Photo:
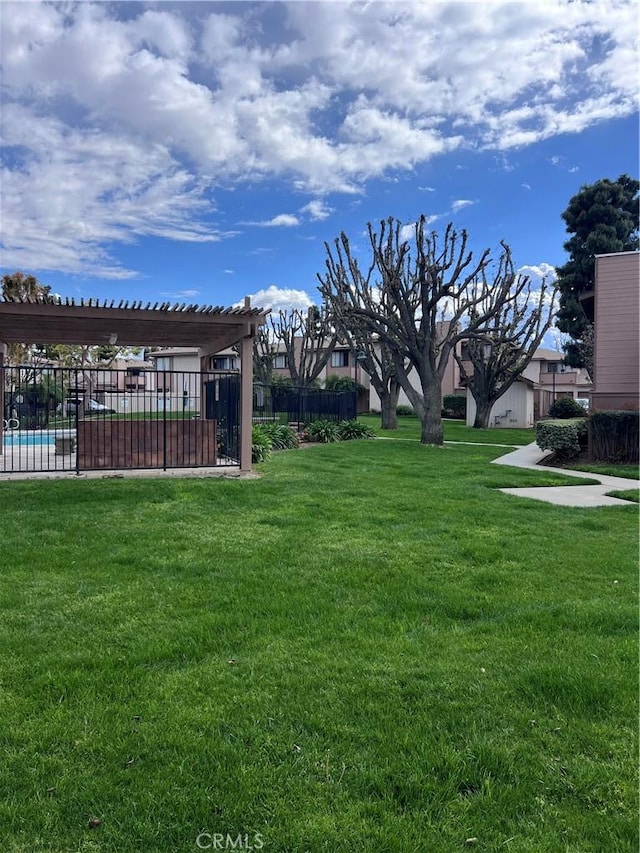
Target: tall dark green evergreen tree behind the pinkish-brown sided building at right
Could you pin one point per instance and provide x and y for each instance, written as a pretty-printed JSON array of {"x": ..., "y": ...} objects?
[{"x": 602, "y": 218}]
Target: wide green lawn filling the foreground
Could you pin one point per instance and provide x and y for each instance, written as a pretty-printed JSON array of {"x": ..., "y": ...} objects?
[{"x": 370, "y": 648}]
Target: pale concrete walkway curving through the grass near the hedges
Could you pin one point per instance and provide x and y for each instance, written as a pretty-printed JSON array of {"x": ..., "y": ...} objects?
[{"x": 584, "y": 496}]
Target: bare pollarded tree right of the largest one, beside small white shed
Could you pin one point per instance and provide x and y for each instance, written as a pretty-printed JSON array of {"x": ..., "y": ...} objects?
[{"x": 501, "y": 348}]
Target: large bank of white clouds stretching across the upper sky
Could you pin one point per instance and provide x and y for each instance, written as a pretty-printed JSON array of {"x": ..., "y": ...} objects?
[{"x": 139, "y": 115}]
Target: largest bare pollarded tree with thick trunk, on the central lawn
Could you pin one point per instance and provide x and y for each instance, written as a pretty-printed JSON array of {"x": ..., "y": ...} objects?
[{"x": 416, "y": 284}]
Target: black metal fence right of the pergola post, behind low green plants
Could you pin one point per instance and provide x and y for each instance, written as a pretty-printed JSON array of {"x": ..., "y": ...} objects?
[{"x": 302, "y": 405}]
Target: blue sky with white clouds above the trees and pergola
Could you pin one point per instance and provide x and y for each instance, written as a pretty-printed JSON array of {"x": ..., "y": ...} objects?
[{"x": 202, "y": 152}]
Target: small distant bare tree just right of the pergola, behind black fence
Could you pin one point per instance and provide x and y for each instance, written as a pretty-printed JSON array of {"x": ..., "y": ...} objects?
[{"x": 306, "y": 339}]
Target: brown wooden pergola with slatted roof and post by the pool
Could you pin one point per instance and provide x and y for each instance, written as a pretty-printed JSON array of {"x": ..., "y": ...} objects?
[{"x": 49, "y": 319}]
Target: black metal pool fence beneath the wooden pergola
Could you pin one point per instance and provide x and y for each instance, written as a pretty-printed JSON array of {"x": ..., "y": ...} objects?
[{"x": 84, "y": 419}]
